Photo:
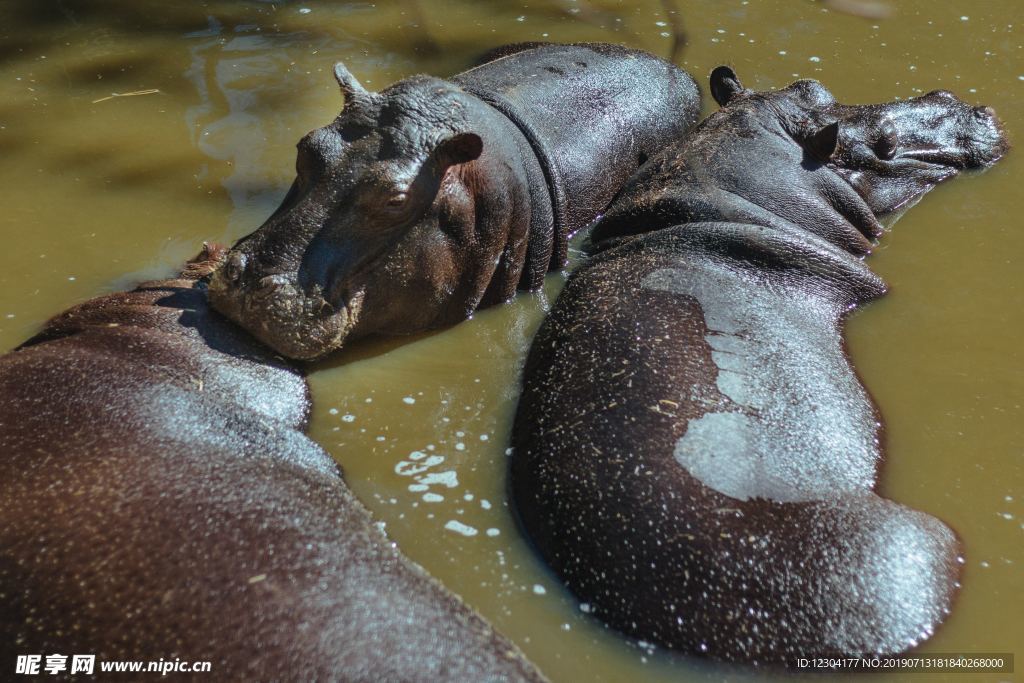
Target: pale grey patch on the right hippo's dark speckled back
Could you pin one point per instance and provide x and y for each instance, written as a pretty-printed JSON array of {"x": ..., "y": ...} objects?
[{"x": 801, "y": 426}]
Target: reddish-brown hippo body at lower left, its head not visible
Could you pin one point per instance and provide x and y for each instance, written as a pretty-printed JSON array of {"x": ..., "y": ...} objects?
[{"x": 160, "y": 501}]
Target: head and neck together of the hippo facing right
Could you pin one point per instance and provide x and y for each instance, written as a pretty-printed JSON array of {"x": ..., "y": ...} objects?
[{"x": 796, "y": 158}]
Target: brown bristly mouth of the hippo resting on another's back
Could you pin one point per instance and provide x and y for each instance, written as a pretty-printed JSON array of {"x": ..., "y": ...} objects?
[{"x": 295, "y": 323}]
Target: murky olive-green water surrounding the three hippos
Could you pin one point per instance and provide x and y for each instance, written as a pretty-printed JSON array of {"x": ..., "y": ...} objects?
[{"x": 99, "y": 194}]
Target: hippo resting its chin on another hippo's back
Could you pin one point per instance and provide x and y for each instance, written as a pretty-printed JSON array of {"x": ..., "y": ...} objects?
[{"x": 424, "y": 202}]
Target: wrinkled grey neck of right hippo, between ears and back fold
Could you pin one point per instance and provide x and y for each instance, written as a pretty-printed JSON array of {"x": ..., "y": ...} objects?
[{"x": 778, "y": 186}]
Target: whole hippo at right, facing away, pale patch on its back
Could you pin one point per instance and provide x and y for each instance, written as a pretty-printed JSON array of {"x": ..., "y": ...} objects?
[{"x": 694, "y": 454}]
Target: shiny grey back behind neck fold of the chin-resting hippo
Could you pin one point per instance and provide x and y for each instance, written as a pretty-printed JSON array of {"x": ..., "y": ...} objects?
[{"x": 594, "y": 113}]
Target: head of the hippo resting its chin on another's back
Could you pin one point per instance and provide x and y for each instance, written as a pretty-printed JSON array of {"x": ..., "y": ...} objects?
[{"x": 379, "y": 231}]
